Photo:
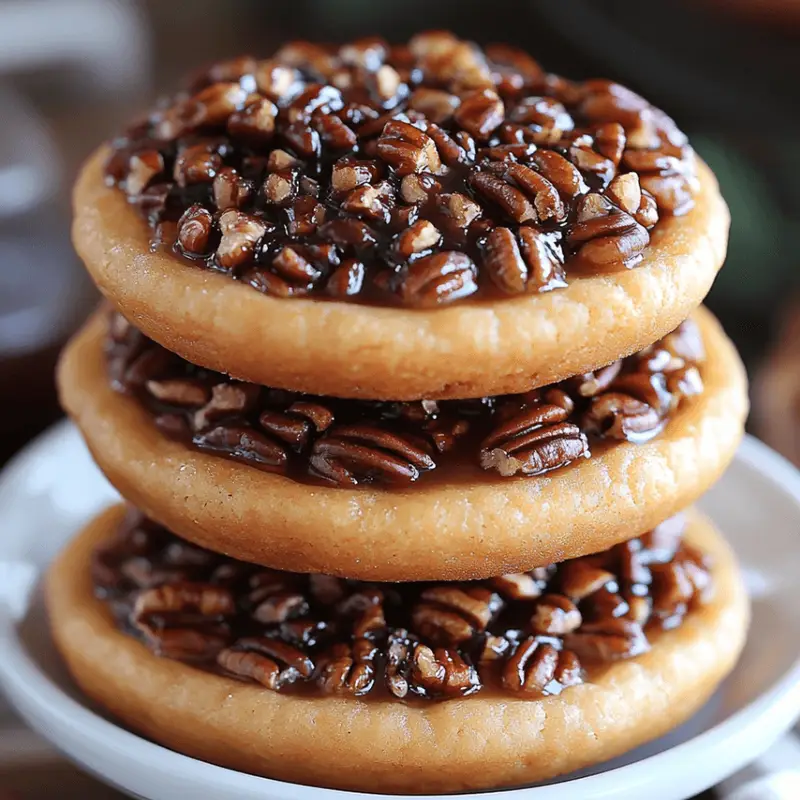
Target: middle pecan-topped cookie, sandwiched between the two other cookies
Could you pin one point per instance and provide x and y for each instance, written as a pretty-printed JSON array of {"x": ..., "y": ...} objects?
[{"x": 448, "y": 490}]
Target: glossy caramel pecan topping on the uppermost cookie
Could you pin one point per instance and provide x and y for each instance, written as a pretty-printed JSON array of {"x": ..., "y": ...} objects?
[{"x": 418, "y": 174}]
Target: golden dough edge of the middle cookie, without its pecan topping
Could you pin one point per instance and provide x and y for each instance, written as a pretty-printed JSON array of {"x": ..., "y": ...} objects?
[{"x": 454, "y": 530}]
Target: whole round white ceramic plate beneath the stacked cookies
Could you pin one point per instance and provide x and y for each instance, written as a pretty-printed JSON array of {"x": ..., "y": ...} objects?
[{"x": 53, "y": 488}]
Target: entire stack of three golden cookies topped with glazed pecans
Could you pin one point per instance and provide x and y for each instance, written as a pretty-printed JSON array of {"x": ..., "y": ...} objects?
[{"x": 405, "y": 379}]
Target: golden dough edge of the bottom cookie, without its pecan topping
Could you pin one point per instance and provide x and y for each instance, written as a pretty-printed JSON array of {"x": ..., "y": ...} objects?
[{"x": 478, "y": 742}]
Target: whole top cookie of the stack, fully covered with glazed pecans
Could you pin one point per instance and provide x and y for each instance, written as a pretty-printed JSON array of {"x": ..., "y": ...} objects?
[{"x": 397, "y": 222}]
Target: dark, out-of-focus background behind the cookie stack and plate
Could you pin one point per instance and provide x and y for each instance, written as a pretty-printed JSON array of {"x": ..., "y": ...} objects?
[{"x": 73, "y": 71}]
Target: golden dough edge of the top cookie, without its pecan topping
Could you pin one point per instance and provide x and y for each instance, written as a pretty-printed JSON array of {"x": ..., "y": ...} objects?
[{"x": 470, "y": 349}]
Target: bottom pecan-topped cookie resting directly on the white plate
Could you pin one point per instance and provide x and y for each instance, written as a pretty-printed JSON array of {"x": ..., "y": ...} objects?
[{"x": 500, "y": 727}]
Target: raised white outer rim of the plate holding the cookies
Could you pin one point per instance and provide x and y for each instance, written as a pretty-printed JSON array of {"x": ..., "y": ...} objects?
[{"x": 750, "y": 729}]
